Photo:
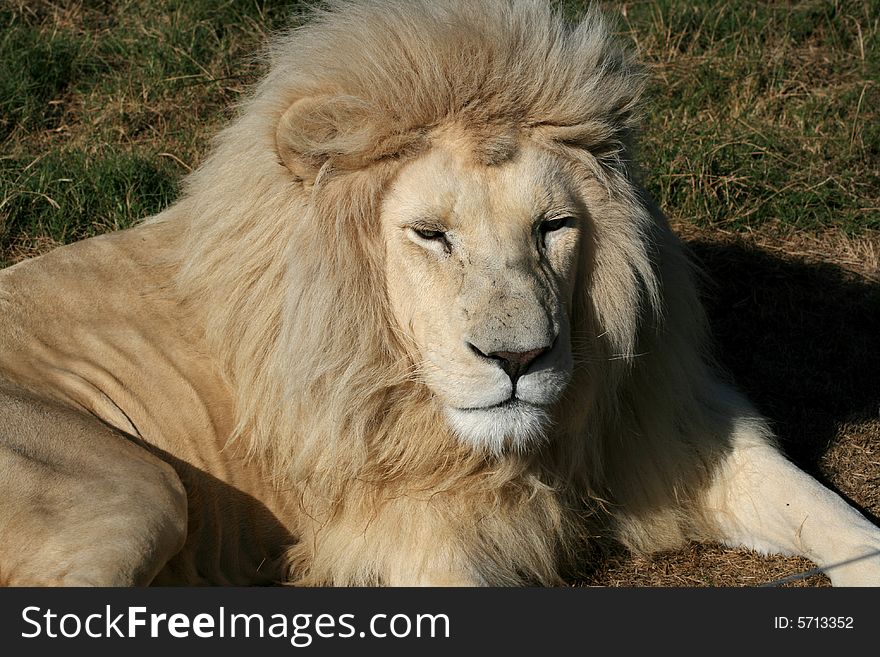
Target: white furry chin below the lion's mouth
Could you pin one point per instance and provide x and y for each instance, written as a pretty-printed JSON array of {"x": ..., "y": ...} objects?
[{"x": 515, "y": 425}]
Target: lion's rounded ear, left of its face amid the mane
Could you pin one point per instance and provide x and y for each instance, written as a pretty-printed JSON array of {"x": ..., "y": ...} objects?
[{"x": 316, "y": 129}]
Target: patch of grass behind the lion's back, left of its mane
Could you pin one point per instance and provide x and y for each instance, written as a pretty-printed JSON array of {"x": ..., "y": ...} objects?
[{"x": 104, "y": 106}]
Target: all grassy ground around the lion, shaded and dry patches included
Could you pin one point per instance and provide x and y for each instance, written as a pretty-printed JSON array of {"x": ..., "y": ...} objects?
[{"x": 761, "y": 141}]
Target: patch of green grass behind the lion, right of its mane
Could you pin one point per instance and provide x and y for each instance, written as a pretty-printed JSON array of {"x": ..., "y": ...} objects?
[{"x": 763, "y": 112}]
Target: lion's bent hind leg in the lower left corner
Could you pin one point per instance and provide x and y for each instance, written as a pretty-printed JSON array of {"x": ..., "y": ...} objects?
[{"x": 80, "y": 505}]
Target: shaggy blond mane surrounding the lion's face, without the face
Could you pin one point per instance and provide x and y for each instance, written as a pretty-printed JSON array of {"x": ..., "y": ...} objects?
[{"x": 288, "y": 280}]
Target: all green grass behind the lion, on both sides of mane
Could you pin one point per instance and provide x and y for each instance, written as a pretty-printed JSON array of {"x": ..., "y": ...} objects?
[{"x": 759, "y": 114}]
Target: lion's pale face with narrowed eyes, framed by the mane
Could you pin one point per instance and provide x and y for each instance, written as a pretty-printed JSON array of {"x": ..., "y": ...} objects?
[{"x": 481, "y": 262}]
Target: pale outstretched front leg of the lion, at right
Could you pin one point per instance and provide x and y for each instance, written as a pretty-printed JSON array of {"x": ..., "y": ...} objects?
[{"x": 761, "y": 500}]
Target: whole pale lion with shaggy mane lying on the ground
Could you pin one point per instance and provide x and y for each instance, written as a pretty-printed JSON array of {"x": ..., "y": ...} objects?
[{"x": 412, "y": 322}]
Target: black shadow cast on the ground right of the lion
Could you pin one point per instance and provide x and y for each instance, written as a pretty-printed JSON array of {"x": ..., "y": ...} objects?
[{"x": 800, "y": 338}]
